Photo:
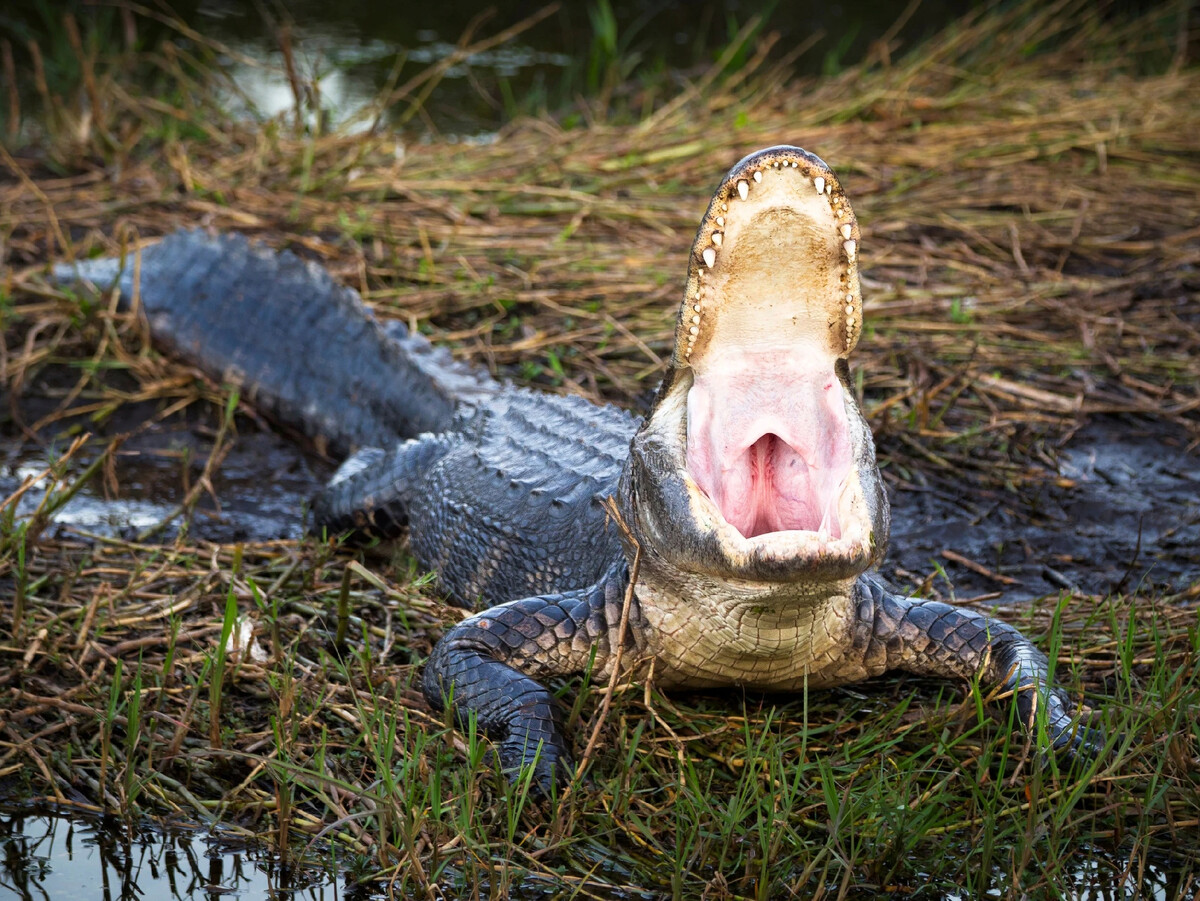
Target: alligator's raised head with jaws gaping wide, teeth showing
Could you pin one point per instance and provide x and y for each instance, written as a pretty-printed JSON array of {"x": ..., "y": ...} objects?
[{"x": 757, "y": 464}]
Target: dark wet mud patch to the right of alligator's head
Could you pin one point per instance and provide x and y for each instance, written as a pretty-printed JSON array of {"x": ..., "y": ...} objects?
[{"x": 1123, "y": 513}]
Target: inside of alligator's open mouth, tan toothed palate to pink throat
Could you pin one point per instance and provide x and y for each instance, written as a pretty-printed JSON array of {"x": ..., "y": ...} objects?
[{"x": 769, "y": 435}]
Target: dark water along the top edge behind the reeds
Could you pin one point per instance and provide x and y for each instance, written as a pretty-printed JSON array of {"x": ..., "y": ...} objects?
[{"x": 350, "y": 56}]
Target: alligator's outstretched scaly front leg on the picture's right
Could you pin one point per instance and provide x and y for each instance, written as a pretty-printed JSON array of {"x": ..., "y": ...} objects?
[{"x": 934, "y": 639}]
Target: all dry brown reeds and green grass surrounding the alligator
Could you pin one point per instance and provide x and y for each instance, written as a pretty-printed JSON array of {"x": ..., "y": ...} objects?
[{"x": 1029, "y": 189}]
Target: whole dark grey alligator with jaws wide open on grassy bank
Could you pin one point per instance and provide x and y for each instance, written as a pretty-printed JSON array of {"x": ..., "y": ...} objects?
[{"x": 728, "y": 539}]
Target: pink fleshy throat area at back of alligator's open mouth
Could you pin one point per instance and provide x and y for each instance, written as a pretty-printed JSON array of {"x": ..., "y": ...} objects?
[{"x": 769, "y": 442}]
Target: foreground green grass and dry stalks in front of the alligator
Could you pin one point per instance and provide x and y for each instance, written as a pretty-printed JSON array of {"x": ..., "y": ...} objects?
[{"x": 884, "y": 788}]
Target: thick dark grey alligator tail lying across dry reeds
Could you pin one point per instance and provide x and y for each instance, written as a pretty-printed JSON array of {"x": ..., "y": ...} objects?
[{"x": 303, "y": 349}]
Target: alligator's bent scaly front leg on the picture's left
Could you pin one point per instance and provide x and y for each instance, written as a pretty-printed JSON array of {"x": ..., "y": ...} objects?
[{"x": 491, "y": 666}]
